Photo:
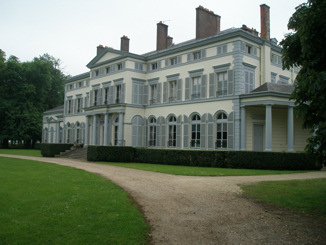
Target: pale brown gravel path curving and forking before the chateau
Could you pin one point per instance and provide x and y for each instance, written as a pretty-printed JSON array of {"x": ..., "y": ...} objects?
[{"x": 207, "y": 210}]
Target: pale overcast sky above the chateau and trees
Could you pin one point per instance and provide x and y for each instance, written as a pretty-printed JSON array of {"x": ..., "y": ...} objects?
[{"x": 70, "y": 30}]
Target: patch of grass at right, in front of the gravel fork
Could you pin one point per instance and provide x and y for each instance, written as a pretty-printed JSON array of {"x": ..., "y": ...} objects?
[{"x": 306, "y": 196}]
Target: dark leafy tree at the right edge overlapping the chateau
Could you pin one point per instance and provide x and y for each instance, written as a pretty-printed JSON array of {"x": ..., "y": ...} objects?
[{"x": 305, "y": 48}]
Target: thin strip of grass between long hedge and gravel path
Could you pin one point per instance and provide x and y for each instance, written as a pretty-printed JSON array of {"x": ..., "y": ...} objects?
[{"x": 199, "y": 171}]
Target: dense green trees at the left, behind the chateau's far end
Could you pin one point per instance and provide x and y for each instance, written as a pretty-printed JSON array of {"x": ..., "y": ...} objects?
[{"x": 27, "y": 89}]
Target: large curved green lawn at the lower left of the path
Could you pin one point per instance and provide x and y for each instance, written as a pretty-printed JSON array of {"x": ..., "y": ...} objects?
[{"x": 42, "y": 203}]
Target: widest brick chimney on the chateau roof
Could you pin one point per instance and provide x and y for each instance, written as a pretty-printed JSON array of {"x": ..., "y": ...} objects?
[{"x": 207, "y": 23}]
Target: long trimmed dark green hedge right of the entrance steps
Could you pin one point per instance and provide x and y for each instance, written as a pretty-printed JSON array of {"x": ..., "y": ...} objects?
[{"x": 221, "y": 159}]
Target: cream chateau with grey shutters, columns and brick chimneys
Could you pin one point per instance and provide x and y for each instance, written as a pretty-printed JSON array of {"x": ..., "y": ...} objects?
[{"x": 221, "y": 90}]
